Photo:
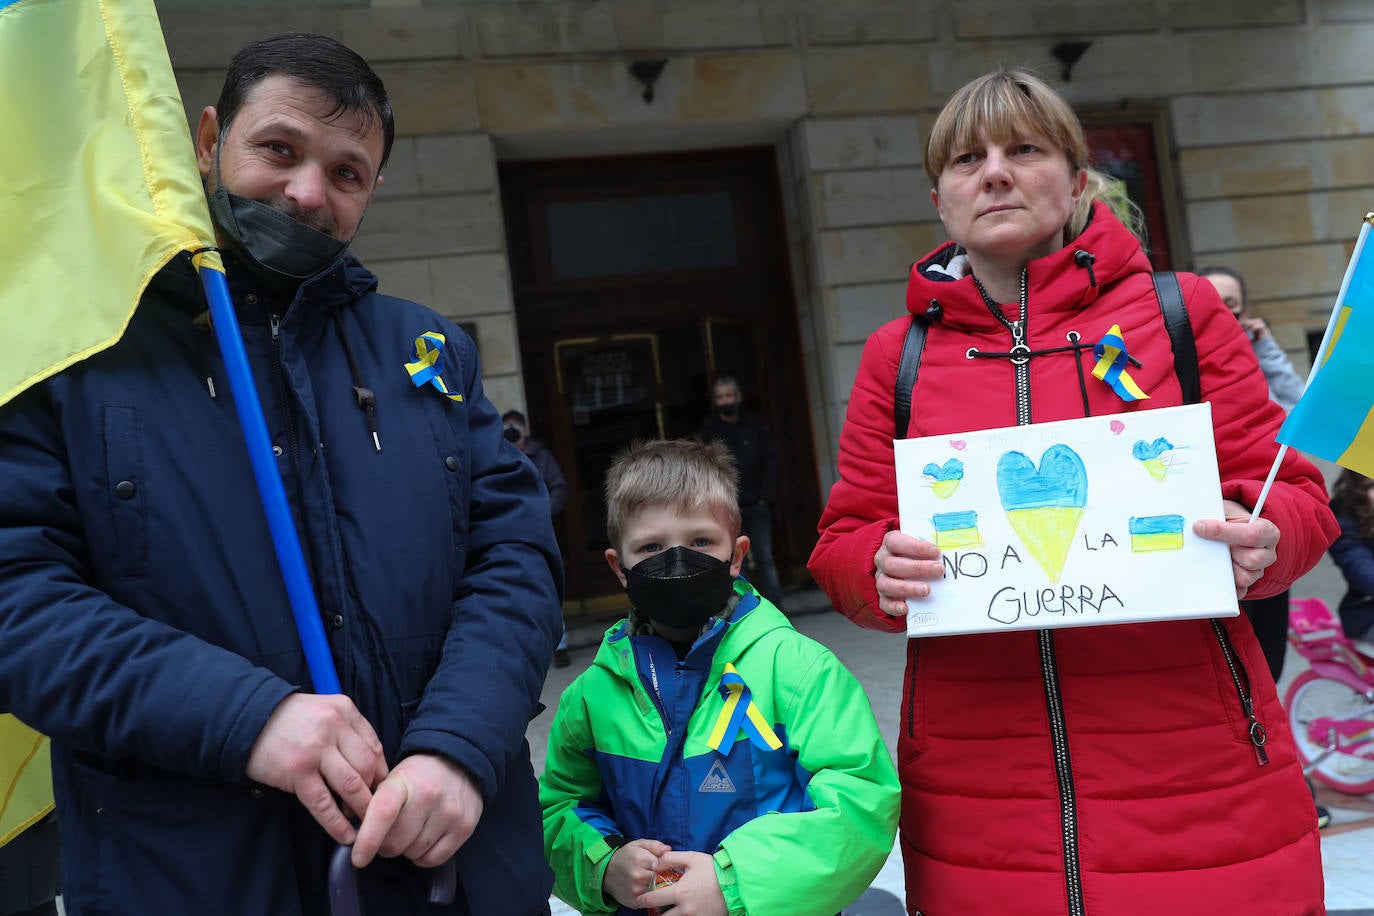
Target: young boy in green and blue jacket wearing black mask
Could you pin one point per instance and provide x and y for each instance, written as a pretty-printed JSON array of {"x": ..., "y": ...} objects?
[{"x": 708, "y": 738}]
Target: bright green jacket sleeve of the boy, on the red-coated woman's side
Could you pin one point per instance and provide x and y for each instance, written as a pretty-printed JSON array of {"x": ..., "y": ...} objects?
[{"x": 822, "y": 860}]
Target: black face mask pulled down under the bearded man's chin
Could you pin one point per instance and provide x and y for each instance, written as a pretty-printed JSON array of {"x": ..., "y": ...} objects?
[{"x": 274, "y": 245}]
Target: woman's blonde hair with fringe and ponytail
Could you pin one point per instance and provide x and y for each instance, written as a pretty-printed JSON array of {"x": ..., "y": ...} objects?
[{"x": 1005, "y": 104}]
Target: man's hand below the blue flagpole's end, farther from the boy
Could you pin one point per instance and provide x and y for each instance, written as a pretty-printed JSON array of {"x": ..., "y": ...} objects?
[{"x": 315, "y": 746}]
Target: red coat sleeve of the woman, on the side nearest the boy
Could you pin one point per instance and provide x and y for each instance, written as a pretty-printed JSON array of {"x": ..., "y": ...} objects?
[{"x": 864, "y": 503}]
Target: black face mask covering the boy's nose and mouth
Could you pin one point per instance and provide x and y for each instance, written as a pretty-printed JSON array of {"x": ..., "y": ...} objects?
[{"x": 679, "y": 588}]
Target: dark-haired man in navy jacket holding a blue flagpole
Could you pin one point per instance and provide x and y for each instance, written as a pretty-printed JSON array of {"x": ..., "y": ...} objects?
[{"x": 144, "y": 621}]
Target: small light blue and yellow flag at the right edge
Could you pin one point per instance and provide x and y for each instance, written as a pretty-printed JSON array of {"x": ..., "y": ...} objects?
[{"x": 1335, "y": 420}]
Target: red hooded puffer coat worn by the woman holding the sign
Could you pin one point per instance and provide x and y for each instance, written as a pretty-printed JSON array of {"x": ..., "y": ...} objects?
[{"x": 1088, "y": 770}]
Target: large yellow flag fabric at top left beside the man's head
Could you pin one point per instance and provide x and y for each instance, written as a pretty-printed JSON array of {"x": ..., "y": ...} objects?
[{"x": 98, "y": 179}]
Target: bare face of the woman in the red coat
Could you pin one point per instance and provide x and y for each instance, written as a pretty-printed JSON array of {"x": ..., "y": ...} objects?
[{"x": 1008, "y": 201}]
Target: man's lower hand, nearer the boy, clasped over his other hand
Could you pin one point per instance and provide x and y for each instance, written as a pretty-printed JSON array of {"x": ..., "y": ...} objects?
[{"x": 425, "y": 811}]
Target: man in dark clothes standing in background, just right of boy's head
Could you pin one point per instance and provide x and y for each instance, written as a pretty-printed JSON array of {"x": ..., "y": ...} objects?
[{"x": 756, "y": 457}]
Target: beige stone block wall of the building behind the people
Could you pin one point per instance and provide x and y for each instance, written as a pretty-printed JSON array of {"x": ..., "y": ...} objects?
[{"x": 1269, "y": 108}]
